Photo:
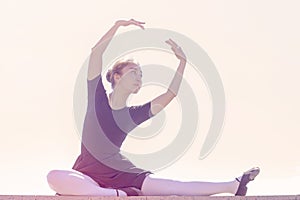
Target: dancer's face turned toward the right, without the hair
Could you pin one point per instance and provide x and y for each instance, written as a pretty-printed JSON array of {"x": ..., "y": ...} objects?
[{"x": 131, "y": 78}]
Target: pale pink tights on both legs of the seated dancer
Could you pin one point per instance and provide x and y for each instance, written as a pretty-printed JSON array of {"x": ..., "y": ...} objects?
[{"x": 71, "y": 182}]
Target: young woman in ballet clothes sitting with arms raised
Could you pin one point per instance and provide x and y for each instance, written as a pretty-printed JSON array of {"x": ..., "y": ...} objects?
[{"x": 100, "y": 169}]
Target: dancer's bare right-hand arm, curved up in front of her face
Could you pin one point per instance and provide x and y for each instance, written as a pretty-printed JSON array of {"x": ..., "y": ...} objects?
[{"x": 164, "y": 99}]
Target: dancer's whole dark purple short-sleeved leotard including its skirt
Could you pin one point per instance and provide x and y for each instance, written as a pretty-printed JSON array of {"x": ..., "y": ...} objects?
[{"x": 104, "y": 131}]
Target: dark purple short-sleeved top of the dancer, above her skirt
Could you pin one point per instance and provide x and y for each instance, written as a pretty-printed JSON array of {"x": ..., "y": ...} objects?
[{"x": 104, "y": 128}]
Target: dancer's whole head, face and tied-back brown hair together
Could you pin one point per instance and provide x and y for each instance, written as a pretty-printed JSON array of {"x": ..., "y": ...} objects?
[{"x": 127, "y": 75}]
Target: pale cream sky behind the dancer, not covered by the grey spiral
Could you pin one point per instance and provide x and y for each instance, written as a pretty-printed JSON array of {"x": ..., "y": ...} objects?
[{"x": 254, "y": 45}]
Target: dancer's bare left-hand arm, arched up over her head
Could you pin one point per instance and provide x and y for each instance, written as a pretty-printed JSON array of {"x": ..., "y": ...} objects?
[{"x": 95, "y": 62}]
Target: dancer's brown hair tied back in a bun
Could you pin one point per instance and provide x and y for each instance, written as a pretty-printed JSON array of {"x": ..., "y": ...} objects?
[{"x": 117, "y": 69}]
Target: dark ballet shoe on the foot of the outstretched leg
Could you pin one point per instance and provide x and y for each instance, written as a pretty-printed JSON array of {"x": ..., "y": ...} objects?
[{"x": 246, "y": 178}]
